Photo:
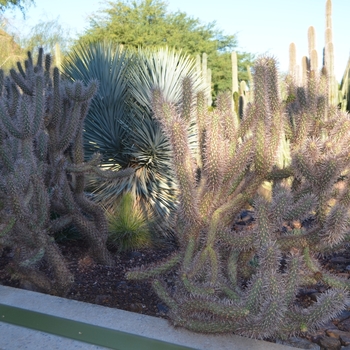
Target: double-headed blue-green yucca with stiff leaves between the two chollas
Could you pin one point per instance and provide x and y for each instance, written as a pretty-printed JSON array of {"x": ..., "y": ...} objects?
[{"x": 120, "y": 123}]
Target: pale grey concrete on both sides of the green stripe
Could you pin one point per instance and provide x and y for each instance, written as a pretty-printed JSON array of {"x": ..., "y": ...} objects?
[{"x": 15, "y": 337}]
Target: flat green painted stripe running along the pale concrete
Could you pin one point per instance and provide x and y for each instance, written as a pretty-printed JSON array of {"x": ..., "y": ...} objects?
[{"x": 81, "y": 331}]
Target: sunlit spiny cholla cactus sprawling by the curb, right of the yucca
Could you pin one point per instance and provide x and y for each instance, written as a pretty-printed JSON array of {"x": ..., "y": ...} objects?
[{"x": 246, "y": 281}]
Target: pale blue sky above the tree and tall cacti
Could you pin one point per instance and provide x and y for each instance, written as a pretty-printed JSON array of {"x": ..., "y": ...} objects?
[{"x": 261, "y": 26}]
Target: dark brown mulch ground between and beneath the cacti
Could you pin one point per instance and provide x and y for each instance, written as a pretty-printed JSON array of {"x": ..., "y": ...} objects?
[{"x": 107, "y": 286}]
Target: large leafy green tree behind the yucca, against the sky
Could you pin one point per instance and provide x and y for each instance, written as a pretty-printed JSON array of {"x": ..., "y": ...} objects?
[{"x": 141, "y": 23}]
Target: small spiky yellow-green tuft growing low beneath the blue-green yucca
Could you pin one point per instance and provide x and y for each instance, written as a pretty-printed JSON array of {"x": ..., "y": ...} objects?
[{"x": 128, "y": 227}]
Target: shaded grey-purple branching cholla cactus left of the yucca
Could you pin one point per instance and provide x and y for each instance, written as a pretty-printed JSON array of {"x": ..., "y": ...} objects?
[{"x": 43, "y": 170}]
